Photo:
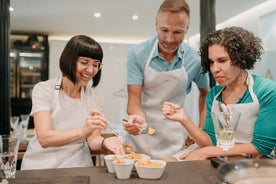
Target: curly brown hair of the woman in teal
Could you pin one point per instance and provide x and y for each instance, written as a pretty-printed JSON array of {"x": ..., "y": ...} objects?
[{"x": 243, "y": 47}]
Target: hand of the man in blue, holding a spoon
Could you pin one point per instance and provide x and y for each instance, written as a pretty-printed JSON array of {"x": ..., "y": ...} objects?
[{"x": 134, "y": 124}]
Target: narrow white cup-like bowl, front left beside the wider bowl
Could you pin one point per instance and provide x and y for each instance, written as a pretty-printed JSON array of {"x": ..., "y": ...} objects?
[{"x": 123, "y": 168}]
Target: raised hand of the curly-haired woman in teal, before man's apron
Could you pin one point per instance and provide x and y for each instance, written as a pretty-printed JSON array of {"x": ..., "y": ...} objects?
[{"x": 173, "y": 111}]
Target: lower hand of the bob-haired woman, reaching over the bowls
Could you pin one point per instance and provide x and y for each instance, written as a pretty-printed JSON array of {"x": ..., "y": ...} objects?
[{"x": 114, "y": 144}]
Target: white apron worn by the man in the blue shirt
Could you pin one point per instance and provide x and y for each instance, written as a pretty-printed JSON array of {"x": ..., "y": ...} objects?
[{"x": 169, "y": 136}]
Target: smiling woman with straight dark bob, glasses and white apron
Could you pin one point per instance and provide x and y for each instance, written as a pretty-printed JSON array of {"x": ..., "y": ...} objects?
[{"x": 67, "y": 111}]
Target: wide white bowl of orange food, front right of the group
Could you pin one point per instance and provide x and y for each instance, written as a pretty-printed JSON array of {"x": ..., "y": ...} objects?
[{"x": 151, "y": 169}]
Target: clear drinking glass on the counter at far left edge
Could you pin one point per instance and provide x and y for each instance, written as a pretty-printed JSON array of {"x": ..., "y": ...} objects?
[{"x": 8, "y": 154}]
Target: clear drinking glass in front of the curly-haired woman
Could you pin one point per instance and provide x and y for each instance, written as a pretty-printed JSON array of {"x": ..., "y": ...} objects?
[{"x": 225, "y": 124}]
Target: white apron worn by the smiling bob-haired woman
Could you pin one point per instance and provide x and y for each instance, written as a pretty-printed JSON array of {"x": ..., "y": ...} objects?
[{"x": 75, "y": 154}]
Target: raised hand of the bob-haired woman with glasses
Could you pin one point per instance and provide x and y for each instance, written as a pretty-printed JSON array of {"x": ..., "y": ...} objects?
[{"x": 95, "y": 120}]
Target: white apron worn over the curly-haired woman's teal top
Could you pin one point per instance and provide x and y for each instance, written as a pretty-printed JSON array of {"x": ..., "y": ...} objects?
[{"x": 249, "y": 112}]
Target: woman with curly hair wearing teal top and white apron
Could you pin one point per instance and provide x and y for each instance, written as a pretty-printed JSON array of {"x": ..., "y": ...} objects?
[{"x": 228, "y": 54}]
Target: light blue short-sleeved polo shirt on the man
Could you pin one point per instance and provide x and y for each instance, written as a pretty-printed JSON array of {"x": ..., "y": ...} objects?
[{"x": 138, "y": 55}]
